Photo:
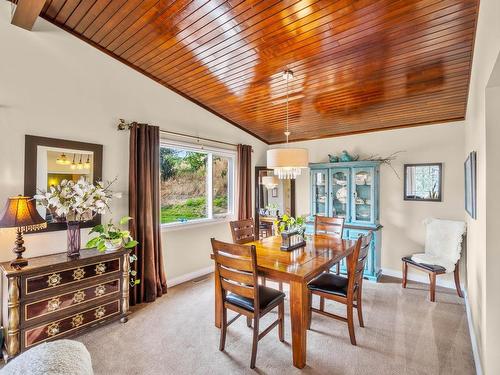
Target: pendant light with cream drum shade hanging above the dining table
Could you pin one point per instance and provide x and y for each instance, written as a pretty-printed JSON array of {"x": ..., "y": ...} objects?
[{"x": 287, "y": 163}]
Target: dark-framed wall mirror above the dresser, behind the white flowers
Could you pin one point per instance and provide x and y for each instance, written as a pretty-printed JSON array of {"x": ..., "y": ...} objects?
[{"x": 48, "y": 161}]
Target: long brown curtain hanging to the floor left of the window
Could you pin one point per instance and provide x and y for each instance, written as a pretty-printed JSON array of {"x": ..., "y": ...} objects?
[{"x": 144, "y": 207}]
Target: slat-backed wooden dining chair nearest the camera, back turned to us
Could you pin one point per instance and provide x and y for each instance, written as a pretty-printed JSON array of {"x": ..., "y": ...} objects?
[{"x": 237, "y": 269}]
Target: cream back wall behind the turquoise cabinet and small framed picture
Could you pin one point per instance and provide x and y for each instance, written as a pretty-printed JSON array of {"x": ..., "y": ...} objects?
[{"x": 403, "y": 232}]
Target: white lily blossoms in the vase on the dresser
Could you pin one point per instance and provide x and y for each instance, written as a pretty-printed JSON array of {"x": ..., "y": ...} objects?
[{"x": 76, "y": 201}]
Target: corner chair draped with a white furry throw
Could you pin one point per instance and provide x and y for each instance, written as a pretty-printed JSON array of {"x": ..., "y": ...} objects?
[{"x": 443, "y": 246}]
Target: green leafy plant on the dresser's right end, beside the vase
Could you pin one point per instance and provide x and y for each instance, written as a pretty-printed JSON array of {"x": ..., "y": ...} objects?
[{"x": 111, "y": 238}]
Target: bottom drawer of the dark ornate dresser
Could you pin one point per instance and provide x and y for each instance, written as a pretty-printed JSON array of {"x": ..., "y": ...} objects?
[{"x": 66, "y": 326}]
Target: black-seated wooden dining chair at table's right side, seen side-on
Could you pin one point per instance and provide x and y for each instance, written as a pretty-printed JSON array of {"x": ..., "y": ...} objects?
[{"x": 345, "y": 290}]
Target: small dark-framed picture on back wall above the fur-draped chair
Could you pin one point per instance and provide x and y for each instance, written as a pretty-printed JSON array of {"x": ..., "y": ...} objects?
[{"x": 423, "y": 182}]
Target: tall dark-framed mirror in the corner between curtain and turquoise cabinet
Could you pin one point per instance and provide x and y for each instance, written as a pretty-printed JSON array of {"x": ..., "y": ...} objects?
[{"x": 273, "y": 199}]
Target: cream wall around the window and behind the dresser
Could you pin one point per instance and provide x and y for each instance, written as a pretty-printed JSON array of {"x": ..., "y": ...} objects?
[{"x": 54, "y": 85}]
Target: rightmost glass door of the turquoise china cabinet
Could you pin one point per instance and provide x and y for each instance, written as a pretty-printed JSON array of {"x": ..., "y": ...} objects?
[{"x": 363, "y": 181}]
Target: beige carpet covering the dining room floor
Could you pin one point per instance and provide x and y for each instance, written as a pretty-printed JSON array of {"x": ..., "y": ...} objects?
[{"x": 404, "y": 334}]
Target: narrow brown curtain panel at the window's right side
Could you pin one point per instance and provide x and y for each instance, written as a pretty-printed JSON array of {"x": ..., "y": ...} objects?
[{"x": 244, "y": 182}]
